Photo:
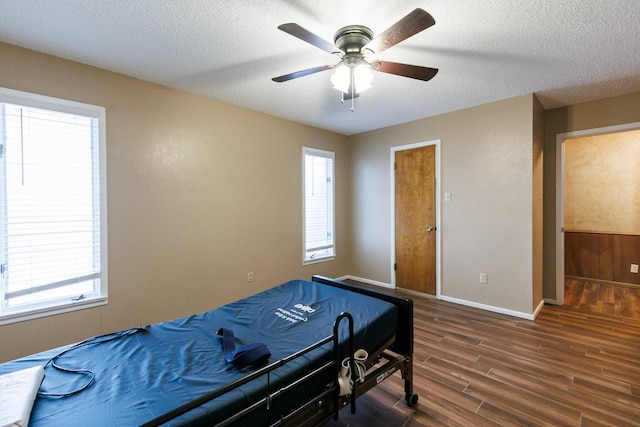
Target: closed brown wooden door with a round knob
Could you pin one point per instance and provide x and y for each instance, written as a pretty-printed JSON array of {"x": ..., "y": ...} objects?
[{"x": 415, "y": 217}]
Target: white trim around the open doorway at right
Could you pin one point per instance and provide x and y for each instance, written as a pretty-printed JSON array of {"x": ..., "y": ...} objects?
[{"x": 560, "y": 138}]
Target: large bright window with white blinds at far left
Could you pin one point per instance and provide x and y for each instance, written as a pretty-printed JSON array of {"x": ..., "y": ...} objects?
[{"x": 52, "y": 251}]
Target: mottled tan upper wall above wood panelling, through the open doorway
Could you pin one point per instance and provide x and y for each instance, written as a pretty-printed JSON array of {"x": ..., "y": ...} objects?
[{"x": 602, "y": 183}]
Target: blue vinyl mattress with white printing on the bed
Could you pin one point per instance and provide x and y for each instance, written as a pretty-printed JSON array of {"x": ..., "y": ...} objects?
[{"x": 142, "y": 375}]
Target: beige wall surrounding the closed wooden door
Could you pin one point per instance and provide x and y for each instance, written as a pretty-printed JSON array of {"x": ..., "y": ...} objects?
[{"x": 487, "y": 157}]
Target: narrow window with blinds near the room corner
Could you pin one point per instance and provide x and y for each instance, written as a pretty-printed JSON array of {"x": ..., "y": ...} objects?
[{"x": 319, "y": 226}]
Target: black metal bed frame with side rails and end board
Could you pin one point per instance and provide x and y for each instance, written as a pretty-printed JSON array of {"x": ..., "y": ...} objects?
[{"x": 395, "y": 355}]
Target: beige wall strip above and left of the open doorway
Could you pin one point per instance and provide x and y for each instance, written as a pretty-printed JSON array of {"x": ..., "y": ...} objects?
[{"x": 613, "y": 111}]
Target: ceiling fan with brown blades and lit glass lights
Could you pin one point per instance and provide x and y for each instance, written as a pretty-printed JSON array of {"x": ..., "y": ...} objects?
[{"x": 355, "y": 44}]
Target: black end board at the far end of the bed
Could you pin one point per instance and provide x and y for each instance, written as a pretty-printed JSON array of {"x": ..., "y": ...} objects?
[{"x": 404, "y": 331}]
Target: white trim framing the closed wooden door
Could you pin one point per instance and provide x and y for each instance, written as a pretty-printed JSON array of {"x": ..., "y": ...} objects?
[{"x": 438, "y": 229}]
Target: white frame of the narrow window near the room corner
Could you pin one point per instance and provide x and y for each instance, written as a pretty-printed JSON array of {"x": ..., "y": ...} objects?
[{"x": 326, "y": 154}]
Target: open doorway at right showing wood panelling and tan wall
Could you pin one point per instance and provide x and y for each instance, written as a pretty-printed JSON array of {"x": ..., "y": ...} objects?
[{"x": 598, "y": 225}]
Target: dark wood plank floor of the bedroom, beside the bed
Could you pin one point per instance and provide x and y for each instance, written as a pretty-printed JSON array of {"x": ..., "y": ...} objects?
[{"x": 476, "y": 368}]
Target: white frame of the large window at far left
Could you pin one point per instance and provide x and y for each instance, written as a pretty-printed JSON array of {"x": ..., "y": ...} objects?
[{"x": 42, "y": 309}]
